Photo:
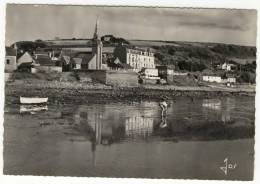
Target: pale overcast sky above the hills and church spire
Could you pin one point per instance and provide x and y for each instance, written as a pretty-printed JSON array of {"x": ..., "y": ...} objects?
[{"x": 30, "y": 22}]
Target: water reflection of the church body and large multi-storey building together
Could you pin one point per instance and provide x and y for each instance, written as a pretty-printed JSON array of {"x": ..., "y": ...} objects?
[{"x": 105, "y": 125}]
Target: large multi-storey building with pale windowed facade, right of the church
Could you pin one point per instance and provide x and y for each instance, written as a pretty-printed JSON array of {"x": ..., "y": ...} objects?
[{"x": 136, "y": 58}]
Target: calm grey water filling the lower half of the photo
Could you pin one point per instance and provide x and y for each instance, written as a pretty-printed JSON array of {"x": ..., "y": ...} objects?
[{"x": 132, "y": 139}]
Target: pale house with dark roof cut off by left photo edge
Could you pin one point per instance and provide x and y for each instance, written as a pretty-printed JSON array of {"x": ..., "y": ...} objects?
[{"x": 10, "y": 59}]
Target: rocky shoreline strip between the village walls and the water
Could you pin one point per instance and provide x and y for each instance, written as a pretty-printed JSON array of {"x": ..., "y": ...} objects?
[{"x": 76, "y": 92}]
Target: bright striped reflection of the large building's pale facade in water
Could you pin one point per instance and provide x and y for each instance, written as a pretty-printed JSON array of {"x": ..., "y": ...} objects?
[{"x": 138, "y": 126}]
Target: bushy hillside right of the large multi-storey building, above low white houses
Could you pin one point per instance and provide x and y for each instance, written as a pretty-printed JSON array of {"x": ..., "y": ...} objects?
[{"x": 194, "y": 57}]
